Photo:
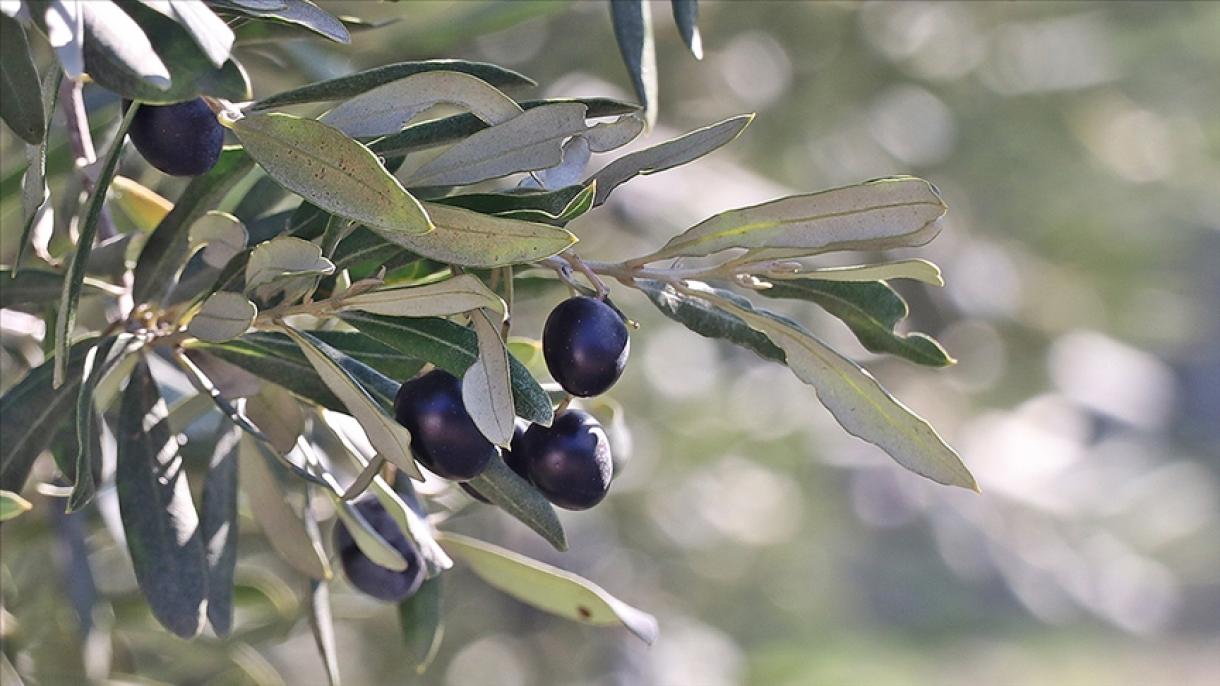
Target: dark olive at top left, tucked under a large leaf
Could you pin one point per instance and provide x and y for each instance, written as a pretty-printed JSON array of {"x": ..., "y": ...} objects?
[{"x": 180, "y": 140}]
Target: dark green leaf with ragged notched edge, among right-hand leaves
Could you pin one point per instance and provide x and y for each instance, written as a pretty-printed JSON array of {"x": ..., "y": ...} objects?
[{"x": 872, "y": 309}]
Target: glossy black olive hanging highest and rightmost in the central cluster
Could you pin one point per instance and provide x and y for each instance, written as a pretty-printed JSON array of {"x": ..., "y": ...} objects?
[{"x": 585, "y": 344}]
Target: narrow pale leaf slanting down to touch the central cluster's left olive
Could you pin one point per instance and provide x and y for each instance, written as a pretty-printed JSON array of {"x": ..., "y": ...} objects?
[{"x": 391, "y": 440}]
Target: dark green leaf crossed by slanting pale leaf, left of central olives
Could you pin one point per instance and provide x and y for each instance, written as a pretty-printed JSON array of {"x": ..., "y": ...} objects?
[{"x": 275, "y": 358}]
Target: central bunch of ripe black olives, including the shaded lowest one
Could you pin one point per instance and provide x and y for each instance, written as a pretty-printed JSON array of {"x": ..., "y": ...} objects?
[{"x": 586, "y": 347}]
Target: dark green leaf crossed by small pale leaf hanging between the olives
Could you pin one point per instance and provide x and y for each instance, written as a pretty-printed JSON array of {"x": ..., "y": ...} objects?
[{"x": 452, "y": 348}]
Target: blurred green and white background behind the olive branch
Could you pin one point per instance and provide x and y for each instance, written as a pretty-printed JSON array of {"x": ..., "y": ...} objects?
[{"x": 1079, "y": 150}]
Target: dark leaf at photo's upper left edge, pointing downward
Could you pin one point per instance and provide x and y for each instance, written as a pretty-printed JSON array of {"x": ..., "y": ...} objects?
[{"x": 19, "y": 80}]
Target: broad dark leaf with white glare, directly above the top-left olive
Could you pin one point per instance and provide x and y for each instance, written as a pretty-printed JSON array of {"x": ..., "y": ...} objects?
[{"x": 147, "y": 57}]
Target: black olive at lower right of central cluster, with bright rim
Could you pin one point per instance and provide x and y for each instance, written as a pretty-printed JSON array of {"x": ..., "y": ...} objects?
[{"x": 570, "y": 461}]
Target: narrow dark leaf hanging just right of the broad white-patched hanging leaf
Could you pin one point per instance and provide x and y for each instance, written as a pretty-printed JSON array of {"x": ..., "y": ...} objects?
[{"x": 220, "y": 527}]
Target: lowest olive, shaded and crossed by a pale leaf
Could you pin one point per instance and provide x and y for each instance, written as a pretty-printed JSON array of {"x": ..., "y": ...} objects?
[{"x": 367, "y": 576}]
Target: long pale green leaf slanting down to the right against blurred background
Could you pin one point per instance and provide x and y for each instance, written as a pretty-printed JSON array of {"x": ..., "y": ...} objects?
[{"x": 859, "y": 403}]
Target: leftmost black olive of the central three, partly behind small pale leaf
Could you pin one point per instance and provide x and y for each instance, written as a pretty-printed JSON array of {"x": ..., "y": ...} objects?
[{"x": 443, "y": 435}]
